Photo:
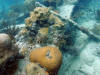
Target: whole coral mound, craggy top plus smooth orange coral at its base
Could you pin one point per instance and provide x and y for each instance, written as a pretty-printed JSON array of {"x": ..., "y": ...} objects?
[{"x": 42, "y": 29}]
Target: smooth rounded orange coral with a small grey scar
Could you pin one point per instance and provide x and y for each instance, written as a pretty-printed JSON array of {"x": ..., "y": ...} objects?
[{"x": 48, "y": 57}]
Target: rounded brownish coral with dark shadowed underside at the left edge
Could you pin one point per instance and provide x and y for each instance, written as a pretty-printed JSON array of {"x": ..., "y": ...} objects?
[{"x": 8, "y": 55}]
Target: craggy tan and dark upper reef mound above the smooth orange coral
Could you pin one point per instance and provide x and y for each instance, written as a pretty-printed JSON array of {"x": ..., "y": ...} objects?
[{"x": 39, "y": 26}]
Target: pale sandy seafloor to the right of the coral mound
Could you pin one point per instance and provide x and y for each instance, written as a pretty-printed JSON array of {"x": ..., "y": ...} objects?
[{"x": 88, "y": 60}]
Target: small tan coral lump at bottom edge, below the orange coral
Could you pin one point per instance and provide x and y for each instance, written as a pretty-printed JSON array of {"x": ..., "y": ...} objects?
[{"x": 35, "y": 69}]
